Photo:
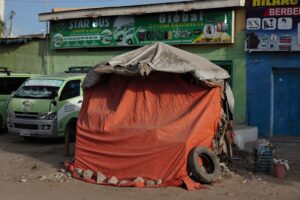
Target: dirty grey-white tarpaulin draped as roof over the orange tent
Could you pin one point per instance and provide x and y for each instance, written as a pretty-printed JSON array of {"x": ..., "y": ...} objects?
[{"x": 163, "y": 58}]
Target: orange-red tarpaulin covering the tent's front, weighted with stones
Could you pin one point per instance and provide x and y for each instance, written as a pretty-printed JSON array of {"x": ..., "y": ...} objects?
[{"x": 133, "y": 126}]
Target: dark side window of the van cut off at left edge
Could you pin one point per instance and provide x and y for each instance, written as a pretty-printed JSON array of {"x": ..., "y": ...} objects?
[{"x": 10, "y": 84}]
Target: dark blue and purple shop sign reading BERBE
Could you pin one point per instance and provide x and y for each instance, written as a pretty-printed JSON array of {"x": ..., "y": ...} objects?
[{"x": 272, "y": 25}]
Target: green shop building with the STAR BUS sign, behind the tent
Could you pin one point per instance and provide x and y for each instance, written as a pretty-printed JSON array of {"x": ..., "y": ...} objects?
[{"x": 85, "y": 37}]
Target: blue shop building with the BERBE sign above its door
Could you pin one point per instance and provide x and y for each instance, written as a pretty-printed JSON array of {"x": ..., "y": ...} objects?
[{"x": 273, "y": 69}]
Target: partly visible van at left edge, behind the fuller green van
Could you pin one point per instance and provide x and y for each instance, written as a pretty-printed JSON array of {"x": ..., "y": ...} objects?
[{"x": 9, "y": 82}]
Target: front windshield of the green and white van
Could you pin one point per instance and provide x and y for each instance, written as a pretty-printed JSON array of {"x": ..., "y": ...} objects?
[{"x": 36, "y": 92}]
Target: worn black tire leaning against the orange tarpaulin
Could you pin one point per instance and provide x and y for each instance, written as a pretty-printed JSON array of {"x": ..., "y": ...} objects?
[{"x": 206, "y": 169}]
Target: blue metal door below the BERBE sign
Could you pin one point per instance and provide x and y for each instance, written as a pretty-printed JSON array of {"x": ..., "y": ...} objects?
[{"x": 286, "y": 116}]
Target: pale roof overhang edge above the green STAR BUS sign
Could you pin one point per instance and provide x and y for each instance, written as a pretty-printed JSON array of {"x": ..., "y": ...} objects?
[{"x": 140, "y": 9}]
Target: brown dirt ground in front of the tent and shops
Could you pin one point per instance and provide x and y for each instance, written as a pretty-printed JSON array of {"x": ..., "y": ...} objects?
[{"x": 30, "y": 170}]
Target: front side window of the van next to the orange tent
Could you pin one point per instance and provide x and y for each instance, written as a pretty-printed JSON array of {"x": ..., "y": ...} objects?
[{"x": 71, "y": 89}]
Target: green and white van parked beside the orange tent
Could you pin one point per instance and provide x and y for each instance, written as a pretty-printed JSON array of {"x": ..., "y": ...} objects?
[{"x": 46, "y": 106}]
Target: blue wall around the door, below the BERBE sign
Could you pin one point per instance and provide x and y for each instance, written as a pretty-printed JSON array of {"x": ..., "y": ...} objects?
[{"x": 259, "y": 72}]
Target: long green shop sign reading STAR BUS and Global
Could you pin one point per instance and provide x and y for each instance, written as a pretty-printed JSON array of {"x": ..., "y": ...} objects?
[{"x": 197, "y": 27}]
